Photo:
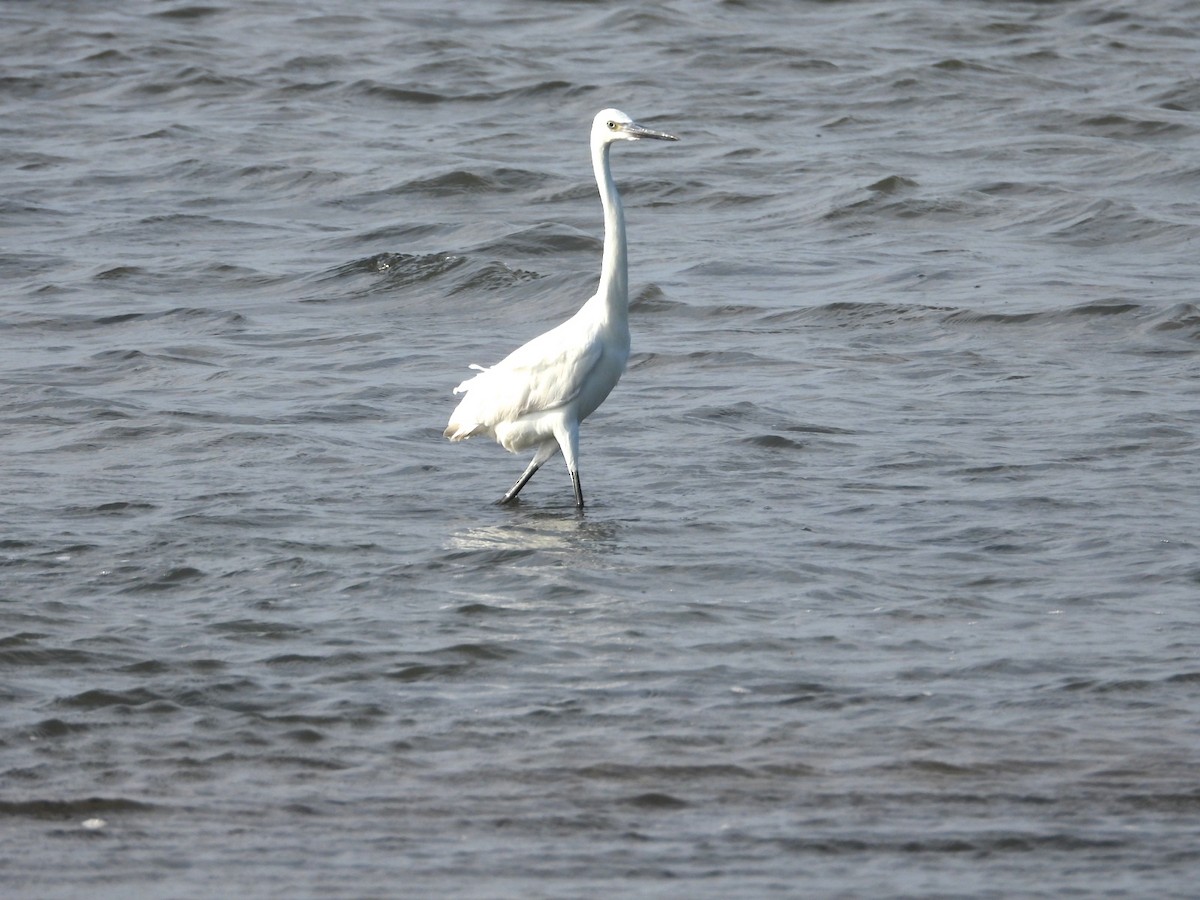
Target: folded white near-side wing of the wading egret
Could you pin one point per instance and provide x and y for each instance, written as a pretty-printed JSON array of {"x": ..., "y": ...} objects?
[{"x": 544, "y": 374}]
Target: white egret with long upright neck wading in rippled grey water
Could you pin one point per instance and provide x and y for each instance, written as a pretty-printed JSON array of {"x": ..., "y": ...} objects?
[{"x": 538, "y": 395}]
